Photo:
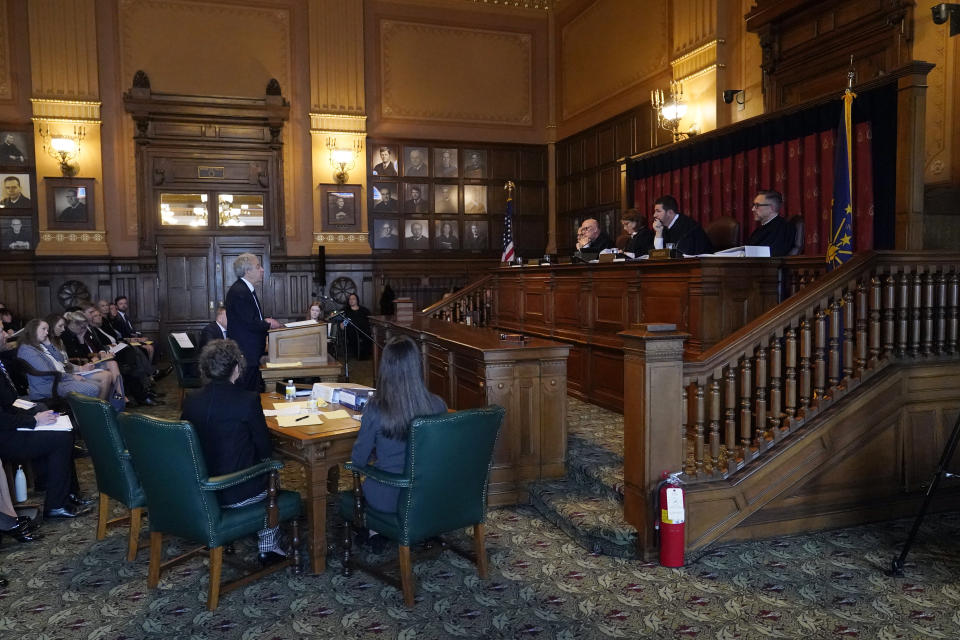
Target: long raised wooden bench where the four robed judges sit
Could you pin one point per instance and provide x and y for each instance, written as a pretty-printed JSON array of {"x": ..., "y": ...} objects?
[{"x": 586, "y": 306}]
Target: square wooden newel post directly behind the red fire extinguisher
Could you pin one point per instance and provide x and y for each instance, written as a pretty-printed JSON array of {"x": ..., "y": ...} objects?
[{"x": 653, "y": 422}]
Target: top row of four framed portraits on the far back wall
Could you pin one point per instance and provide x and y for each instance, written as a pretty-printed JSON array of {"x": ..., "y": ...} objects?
[{"x": 420, "y": 161}]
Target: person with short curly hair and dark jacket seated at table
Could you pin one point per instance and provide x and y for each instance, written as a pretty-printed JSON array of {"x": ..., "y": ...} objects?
[{"x": 232, "y": 432}]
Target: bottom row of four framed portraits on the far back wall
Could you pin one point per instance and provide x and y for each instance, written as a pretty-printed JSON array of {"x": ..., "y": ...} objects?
[{"x": 443, "y": 234}]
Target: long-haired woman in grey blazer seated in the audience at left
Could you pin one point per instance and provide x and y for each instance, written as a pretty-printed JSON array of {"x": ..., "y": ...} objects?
[{"x": 33, "y": 349}]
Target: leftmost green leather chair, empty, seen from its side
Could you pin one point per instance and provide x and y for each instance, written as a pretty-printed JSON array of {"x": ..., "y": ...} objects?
[{"x": 116, "y": 479}]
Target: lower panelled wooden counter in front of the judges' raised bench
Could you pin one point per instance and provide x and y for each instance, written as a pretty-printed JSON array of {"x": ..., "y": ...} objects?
[{"x": 472, "y": 367}]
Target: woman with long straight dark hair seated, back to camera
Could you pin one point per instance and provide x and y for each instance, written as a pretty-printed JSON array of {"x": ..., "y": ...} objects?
[{"x": 401, "y": 396}]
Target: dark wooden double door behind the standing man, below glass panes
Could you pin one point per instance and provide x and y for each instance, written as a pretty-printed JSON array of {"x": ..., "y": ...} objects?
[{"x": 195, "y": 274}]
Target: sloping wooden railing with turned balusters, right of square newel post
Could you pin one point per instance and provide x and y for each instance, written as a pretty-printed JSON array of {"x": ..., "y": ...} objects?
[{"x": 765, "y": 381}]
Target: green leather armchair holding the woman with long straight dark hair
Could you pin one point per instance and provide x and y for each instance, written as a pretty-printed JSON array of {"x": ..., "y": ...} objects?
[{"x": 443, "y": 488}]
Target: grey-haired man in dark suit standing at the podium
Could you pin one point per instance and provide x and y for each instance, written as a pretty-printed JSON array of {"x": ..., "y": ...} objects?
[{"x": 248, "y": 326}]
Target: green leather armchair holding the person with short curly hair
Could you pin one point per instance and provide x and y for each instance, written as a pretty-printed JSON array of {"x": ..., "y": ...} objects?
[{"x": 182, "y": 499}]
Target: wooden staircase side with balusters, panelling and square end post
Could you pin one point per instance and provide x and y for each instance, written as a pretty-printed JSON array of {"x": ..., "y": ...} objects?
[{"x": 828, "y": 410}]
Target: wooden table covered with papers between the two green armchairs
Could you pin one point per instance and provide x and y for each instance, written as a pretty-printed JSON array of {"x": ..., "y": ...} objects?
[{"x": 320, "y": 449}]
